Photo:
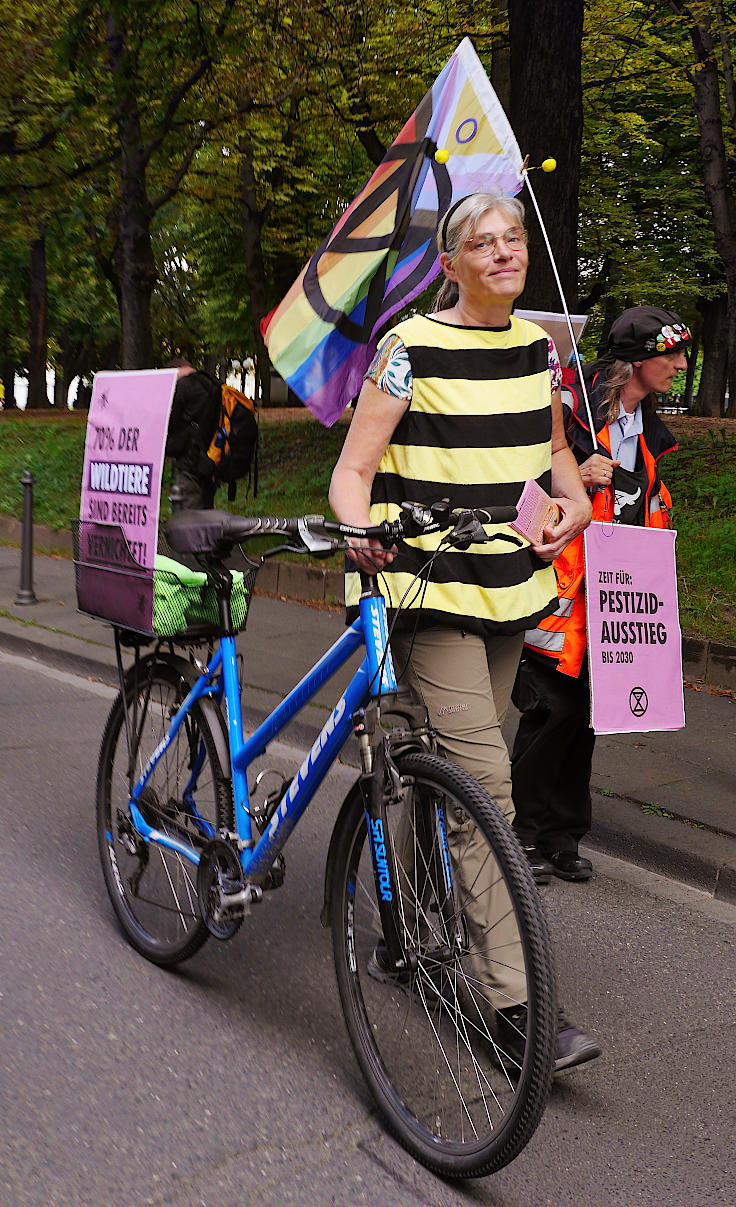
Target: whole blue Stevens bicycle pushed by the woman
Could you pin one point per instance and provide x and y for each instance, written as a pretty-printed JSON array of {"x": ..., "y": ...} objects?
[{"x": 188, "y": 853}]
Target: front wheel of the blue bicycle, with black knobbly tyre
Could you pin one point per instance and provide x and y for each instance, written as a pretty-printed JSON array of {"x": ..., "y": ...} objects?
[{"x": 430, "y": 1042}]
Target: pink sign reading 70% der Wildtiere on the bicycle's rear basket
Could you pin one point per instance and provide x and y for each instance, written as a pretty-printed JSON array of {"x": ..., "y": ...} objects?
[{"x": 121, "y": 491}]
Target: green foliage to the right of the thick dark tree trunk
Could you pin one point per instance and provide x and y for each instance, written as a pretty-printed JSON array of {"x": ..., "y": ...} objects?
[{"x": 647, "y": 232}]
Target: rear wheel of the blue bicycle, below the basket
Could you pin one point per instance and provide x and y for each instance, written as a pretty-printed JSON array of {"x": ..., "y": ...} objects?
[{"x": 189, "y": 798}]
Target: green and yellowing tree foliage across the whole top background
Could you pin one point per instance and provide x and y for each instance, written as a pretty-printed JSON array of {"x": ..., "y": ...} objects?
[{"x": 183, "y": 160}]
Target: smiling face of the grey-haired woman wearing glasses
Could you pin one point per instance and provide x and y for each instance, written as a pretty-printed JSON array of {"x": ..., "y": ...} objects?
[{"x": 492, "y": 265}]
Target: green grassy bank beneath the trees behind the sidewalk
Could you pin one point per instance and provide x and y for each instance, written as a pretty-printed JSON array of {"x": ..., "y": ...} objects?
[{"x": 296, "y": 460}]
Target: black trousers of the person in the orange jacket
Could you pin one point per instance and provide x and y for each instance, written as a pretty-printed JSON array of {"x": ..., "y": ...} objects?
[{"x": 552, "y": 760}]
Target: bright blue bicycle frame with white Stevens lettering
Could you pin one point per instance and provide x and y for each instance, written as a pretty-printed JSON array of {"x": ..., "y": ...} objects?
[{"x": 375, "y": 678}]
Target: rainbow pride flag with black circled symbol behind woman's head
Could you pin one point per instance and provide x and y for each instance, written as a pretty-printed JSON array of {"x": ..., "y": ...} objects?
[{"x": 383, "y": 253}]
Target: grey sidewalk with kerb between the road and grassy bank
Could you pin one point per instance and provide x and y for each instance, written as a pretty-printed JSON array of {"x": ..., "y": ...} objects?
[{"x": 664, "y": 801}]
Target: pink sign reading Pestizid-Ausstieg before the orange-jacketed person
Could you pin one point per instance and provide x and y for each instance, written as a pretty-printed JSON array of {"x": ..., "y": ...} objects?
[{"x": 634, "y": 638}]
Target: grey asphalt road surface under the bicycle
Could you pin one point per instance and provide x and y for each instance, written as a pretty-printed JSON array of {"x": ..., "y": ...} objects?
[{"x": 232, "y": 1080}]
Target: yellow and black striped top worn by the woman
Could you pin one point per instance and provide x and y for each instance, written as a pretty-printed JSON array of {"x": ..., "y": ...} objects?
[{"x": 477, "y": 429}]
